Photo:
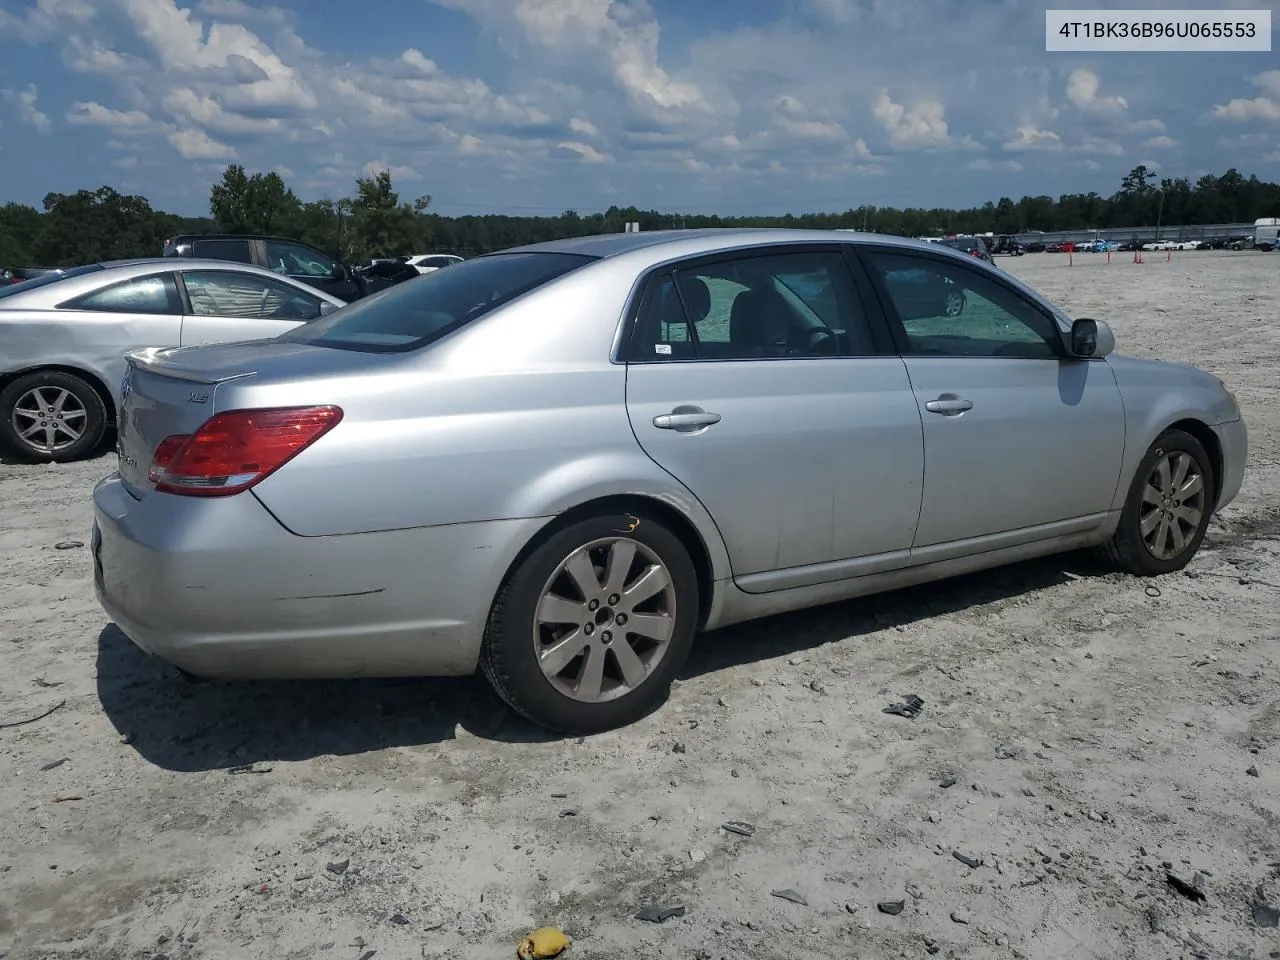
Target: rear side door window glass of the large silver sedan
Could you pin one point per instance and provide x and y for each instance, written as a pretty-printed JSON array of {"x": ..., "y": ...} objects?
[{"x": 765, "y": 307}]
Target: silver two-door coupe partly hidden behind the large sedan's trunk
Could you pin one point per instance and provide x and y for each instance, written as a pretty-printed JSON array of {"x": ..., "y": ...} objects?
[{"x": 63, "y": 337}]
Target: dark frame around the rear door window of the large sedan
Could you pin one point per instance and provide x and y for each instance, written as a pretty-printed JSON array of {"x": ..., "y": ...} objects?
[{"x": 628, "y": 350}]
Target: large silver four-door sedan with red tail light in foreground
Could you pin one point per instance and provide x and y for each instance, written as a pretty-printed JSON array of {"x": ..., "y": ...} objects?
[{"x": 560, "y": 463}]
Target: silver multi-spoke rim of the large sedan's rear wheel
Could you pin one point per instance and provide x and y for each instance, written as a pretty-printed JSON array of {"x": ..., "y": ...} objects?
[{"x": 605, "y": 620}]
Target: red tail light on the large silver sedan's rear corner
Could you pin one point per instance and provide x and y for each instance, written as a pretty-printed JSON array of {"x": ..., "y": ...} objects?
[{"x": 236, "y": 450}]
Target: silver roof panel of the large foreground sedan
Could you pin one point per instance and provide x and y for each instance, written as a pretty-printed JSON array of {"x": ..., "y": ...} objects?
[{"x": 710, "y": 240}]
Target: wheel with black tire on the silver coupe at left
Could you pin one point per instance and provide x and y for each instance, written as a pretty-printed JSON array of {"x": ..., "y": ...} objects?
[{"x": 52, "y": 418}]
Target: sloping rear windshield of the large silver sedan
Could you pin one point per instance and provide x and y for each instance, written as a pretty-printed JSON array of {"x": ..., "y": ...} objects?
[{"x": 417, "y": 313}]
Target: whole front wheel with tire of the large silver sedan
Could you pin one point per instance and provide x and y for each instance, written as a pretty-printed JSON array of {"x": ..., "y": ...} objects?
[{"x": 1168, "y": 510}]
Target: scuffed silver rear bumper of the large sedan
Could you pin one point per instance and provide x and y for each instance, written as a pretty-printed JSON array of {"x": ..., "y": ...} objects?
[{"x": 218, "y": 588}]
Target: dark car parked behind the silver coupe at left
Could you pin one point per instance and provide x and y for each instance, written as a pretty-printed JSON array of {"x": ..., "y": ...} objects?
[{"x": 292, "y": 259}]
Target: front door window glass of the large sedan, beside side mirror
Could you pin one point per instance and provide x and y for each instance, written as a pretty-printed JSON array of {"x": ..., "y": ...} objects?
[{"x": 956, "y": 312}]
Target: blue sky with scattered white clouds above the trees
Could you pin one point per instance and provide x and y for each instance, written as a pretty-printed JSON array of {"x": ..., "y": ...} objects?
[{"x": 542, "y": 106}]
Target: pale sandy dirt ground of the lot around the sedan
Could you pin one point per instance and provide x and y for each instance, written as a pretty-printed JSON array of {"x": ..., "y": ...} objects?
[{"x": 1099, "y": 729}]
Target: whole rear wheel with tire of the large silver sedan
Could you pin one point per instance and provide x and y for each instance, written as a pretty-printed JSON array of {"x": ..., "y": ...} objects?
[{"x": 591, "y": 629}]
